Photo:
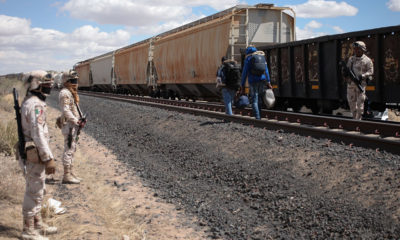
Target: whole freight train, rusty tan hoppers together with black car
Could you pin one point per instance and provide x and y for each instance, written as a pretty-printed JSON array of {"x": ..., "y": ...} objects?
[{"x": 182, "y": 62}]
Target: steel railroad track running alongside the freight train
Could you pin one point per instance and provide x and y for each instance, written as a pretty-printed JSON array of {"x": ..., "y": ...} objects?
[{"x": 378, "y": 135}]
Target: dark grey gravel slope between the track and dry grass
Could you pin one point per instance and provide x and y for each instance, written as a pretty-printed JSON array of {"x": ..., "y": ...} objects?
[{"x": 252, "y": 183}]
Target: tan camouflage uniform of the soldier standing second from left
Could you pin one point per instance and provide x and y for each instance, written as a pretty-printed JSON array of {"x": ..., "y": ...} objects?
[{"x": 70, "y": 118}]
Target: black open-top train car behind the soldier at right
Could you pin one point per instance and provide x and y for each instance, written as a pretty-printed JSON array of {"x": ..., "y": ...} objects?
[{"x": 307, "y": 72}]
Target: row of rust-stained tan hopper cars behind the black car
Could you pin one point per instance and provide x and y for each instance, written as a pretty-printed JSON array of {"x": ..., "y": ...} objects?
[{"x": 183, "y": 62}]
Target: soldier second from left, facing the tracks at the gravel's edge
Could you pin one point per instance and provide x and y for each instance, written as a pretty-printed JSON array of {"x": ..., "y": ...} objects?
[{"x": 70, "y": 123}]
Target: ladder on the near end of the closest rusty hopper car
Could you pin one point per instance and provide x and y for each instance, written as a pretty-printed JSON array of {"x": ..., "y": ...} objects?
[{"x": 236, "y": 33}]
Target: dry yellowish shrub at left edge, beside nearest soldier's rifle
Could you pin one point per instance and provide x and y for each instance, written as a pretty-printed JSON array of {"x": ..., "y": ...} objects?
[{"x": 9, "y": 137}]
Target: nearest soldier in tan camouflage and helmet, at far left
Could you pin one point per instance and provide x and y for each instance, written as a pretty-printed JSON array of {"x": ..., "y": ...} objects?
[{"x": 33, "y": 121}]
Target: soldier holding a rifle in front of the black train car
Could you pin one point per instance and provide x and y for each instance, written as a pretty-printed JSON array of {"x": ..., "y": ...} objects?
[{"x": 363, "y": 68}]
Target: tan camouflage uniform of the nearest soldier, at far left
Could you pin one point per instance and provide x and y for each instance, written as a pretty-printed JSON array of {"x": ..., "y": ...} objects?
[{"x": 33, "y": 121}]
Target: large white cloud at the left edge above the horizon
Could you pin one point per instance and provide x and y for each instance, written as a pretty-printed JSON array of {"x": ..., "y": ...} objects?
[{"x": 23, "y": 48}]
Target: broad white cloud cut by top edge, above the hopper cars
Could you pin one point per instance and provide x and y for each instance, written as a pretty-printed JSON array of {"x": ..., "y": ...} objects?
[{"x": 148, "y": 17}]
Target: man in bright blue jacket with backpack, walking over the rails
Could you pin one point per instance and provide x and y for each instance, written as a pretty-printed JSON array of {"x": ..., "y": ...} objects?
[{"x": 256, "y": 70}]
